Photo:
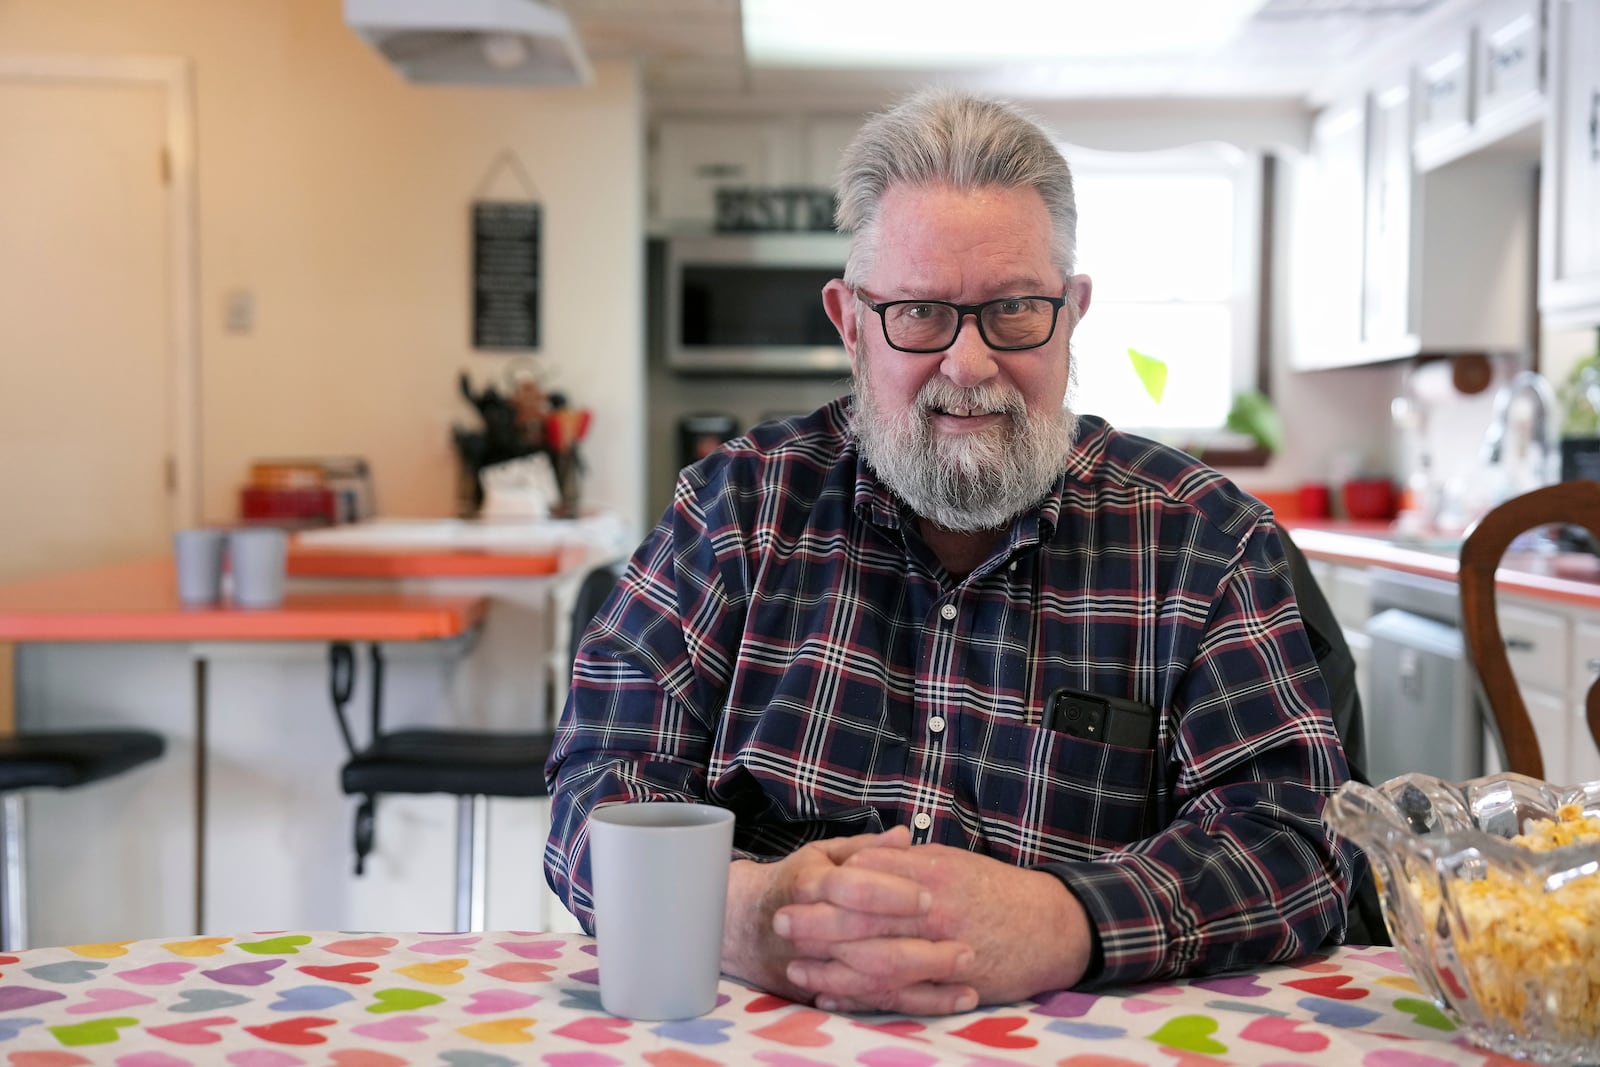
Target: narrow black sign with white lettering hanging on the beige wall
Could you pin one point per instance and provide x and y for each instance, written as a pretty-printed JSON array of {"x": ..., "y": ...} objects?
[{"x": 505, "y": 274}]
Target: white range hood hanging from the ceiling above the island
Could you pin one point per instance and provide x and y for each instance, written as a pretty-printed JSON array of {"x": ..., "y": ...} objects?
[{"x": 473, "y": 42}]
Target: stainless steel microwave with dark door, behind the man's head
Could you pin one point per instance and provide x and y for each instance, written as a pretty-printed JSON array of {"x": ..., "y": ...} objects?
[{"x": 753, "y": 305}]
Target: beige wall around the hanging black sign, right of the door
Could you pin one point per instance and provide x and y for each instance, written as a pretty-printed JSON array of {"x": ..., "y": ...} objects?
[{"x": 338, "y": 198}]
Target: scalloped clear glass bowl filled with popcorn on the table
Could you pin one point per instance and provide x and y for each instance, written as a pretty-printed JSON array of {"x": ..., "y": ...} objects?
[{"x": 1505, "y": 938}]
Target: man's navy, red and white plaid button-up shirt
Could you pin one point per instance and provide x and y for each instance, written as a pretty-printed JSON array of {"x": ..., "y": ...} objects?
[{"x": 786, "y": 645}]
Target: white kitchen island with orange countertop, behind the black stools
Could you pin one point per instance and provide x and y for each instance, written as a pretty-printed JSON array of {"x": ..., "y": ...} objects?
[{"x": 242, "y": 825}]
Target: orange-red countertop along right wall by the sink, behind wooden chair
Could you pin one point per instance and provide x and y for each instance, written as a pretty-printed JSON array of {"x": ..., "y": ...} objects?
[{"x": 1567, "y": 578}]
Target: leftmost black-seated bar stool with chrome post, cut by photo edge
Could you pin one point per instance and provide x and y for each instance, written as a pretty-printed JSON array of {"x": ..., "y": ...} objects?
[{"x": 54, "y": 761}]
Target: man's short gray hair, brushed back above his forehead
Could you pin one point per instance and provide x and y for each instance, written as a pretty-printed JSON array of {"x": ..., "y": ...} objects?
[{"x": 954, "y": 138}]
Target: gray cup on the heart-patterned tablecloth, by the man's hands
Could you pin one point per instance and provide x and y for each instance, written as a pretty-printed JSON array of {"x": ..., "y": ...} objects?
[{"x": 660, "y": 876}]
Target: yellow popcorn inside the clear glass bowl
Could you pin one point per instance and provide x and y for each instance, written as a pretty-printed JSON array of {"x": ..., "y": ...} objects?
[{"x": 1529, "y": 946}]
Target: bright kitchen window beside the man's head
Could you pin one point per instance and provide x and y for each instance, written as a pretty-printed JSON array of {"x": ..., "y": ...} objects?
[{"x": 1174, "y": 244}]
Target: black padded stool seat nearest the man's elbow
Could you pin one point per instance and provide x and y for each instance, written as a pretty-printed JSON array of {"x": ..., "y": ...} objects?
[{"x": 450, "y": 762}]
